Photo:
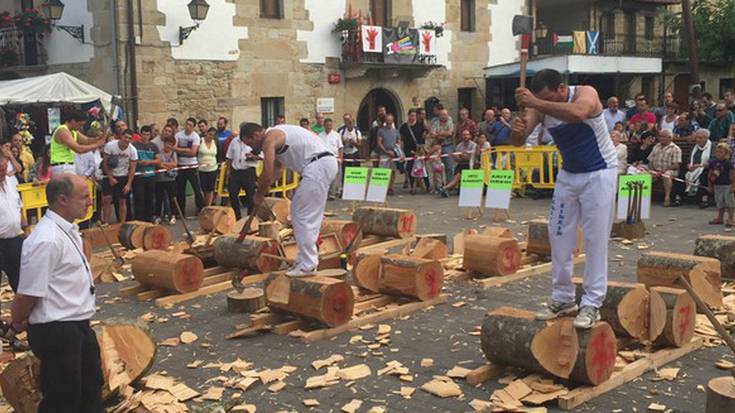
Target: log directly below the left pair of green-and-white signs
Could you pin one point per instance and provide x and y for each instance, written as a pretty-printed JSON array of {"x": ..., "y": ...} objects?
[{"x": 387, "y": 222}]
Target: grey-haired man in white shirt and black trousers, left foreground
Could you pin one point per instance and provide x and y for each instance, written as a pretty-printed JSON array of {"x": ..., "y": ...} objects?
[{"x": 56, "y": 300}]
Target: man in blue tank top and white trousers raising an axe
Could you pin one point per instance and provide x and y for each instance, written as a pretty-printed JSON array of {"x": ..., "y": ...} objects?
[{"x": 584, "y": 190}]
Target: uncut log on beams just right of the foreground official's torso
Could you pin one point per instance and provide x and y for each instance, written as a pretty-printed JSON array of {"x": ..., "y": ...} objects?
[{"x": 171, "y": 271}]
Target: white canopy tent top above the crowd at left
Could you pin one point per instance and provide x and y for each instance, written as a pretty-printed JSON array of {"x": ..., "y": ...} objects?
[{"x": 54, "y": 88}]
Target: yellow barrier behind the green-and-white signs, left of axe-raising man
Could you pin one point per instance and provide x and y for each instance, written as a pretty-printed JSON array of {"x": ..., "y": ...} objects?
[{"x": 533, "y": 166}]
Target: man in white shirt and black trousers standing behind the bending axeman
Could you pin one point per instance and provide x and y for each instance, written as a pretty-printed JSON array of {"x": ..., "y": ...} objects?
[{"x": 241, "y": 167}]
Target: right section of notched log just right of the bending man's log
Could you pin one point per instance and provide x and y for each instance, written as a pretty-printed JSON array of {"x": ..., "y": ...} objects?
[{"x": 410, "y": 276}]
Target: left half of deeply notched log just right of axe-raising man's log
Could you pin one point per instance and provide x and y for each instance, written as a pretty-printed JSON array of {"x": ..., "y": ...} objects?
[{"x": 626, "y": 309}]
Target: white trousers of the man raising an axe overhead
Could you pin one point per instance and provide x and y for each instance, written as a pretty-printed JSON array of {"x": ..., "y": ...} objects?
[{"x": 588, "y": 198}]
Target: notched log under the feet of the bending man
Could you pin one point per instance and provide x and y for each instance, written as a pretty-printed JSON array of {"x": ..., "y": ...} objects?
[{"x": 325, "y": 299}]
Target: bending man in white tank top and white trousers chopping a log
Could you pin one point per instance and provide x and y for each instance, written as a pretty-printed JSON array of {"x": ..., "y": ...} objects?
[{"x": 302, "y": 151}]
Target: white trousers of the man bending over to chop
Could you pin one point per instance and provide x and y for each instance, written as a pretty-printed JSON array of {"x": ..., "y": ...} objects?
[{"x": 307, "y": 209}]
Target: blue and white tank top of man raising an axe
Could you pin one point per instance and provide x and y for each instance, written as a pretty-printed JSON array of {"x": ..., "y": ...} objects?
[{"x": 584, "y": 146}]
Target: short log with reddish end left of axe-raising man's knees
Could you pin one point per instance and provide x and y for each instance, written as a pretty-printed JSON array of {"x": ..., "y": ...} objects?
[{"x": 490, "y": 256}]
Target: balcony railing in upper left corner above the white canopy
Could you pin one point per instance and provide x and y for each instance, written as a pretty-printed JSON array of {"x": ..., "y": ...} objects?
[{"x": 19, "y": 48}]
